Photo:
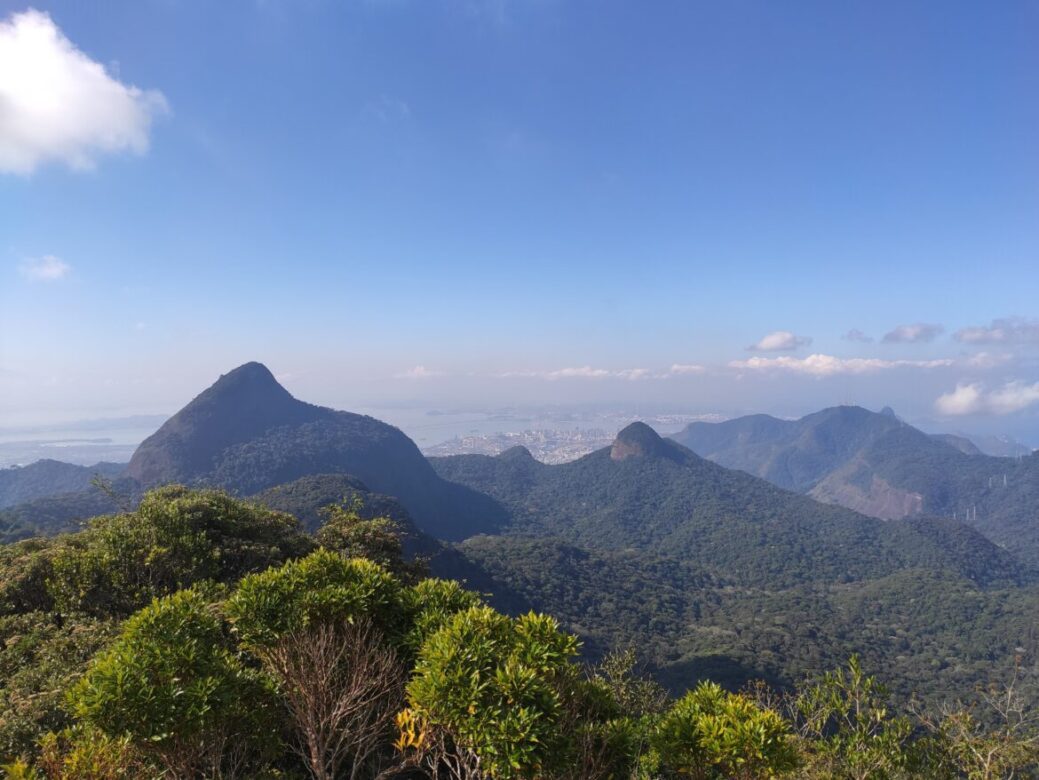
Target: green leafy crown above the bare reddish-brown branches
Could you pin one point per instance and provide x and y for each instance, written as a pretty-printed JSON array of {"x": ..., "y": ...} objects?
[{"x": 323, "y": 588}]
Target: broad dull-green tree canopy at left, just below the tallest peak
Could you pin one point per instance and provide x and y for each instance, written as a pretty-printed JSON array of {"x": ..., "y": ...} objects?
[{"x": 175, "y": 539}]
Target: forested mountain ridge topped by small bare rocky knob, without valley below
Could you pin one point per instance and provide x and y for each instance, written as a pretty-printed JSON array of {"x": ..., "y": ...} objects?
[{"x": 654, "y": 496}]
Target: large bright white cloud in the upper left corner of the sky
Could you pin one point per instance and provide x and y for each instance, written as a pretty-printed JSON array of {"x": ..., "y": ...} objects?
[{"x": 59, "y": 104}]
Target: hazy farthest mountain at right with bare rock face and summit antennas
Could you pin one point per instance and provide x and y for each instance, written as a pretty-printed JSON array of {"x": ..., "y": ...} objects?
[{"x": 877, "y": 465}]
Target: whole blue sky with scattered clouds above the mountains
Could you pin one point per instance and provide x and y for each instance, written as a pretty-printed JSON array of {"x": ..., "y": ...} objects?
[{"x": 503, "y": 201}]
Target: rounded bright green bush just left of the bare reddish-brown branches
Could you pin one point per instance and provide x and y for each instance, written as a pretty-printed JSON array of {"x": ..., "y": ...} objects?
[{"x": 173, "y": 686}]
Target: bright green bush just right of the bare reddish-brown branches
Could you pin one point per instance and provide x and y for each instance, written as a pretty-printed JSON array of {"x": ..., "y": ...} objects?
[{"x": 495, "y": 686}]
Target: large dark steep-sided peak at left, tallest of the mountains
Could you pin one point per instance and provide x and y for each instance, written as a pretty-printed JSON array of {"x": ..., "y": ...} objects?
[{"x": 247, "y": 434}]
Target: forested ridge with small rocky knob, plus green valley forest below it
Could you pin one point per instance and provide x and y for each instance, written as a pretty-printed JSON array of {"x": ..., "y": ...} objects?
[{"x": 712, "y": 573}]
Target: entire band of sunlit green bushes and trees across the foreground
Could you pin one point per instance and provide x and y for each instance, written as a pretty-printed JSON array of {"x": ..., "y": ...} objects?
[{"x": 203, "y": 636}]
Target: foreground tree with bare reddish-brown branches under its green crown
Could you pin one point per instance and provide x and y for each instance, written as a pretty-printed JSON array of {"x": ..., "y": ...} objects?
[{"x": 327, "y": 629}]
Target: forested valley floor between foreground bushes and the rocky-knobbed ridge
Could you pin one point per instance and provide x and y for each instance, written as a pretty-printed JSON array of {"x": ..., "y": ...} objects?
[{"x": 935, "y": 632}]
